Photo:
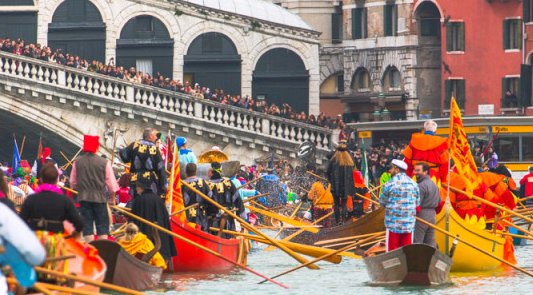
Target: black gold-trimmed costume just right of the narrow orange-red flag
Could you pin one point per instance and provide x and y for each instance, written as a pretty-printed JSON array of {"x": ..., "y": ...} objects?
[{"x": 202, "y": 212}]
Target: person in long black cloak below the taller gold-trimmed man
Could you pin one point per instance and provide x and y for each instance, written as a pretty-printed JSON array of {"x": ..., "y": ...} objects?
[{"x": 151, "y": 207}]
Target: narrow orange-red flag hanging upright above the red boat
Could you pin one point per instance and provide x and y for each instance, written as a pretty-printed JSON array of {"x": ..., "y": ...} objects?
[{"x": 174, "y": 195}]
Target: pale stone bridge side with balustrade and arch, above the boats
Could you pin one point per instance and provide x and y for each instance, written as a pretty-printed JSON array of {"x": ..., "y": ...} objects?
[{"x": 64, "y": 103}]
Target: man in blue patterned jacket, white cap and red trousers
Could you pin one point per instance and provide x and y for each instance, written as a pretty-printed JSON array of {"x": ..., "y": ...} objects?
[{"x": 400, "y": 197}]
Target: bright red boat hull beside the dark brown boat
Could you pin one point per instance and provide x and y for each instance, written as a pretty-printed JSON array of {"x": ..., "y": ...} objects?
[{"x": 192, "y": 259}]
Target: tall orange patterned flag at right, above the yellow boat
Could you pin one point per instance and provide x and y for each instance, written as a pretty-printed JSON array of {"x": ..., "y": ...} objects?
[{"x": 460, "y": 150}]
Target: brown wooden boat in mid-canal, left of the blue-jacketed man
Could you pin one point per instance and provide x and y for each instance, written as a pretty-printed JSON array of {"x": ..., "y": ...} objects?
[{"x": 368, "y": 223}]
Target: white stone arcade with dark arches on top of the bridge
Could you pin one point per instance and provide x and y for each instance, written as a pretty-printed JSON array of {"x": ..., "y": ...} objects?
[{"x": 244, "y": 47}]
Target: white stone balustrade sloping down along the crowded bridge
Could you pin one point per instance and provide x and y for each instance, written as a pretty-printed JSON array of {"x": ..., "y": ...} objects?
[{"x": 162, "y": 100}]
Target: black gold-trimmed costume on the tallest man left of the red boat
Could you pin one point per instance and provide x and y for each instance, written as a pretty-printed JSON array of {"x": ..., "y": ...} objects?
[{"x": 144, "y": 156}]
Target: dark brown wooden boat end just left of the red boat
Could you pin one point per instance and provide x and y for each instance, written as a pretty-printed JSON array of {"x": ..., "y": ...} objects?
[{"x": 126, "y": 270}]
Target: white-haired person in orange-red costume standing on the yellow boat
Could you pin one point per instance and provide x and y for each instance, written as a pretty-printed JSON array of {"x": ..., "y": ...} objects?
[{"x": 430, "y": 149}]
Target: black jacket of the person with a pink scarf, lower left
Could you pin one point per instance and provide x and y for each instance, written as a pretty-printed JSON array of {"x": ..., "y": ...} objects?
[{"x": 47, "y": 211}]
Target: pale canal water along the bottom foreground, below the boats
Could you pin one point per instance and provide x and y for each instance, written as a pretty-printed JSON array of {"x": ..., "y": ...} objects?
[{"x": 348, "y": 277}]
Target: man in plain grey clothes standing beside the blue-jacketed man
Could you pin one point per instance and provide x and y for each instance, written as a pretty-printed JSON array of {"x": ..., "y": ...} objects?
[{"x": 429, "y": 201}]
